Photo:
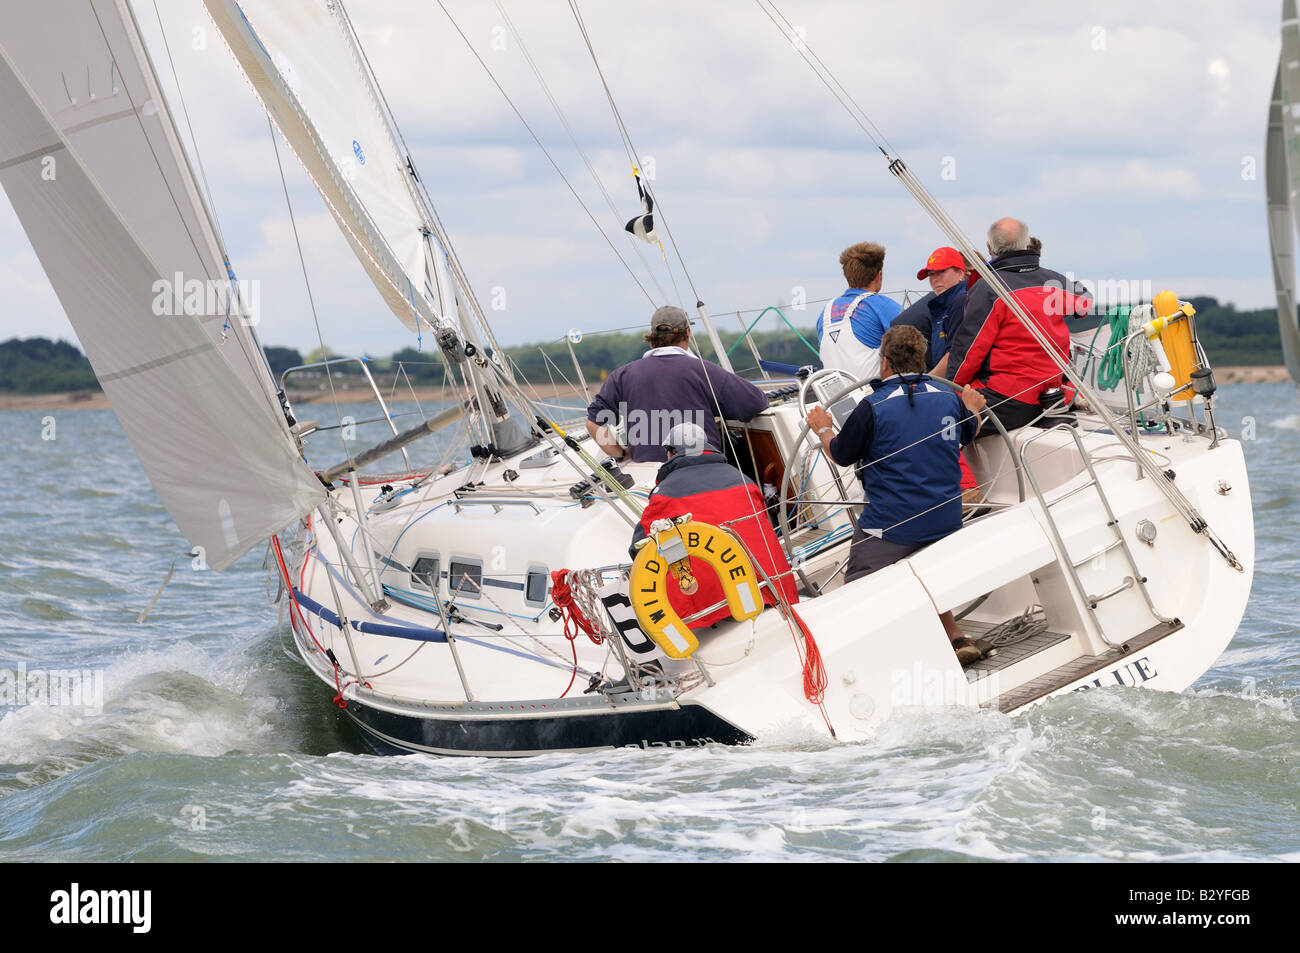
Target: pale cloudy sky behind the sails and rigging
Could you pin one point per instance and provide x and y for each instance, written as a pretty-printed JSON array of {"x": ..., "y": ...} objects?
[{"x": 1128, "y": 136}]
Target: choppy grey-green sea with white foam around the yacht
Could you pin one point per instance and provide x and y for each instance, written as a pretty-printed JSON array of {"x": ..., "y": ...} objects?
[{"x": 214, "y": 746}]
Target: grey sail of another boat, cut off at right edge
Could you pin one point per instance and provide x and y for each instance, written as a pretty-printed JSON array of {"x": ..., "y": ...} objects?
[{"x": 1282, "y": 177}]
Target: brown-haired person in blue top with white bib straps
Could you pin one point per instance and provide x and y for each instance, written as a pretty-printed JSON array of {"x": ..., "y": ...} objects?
[{"x": 851, "y": 327}]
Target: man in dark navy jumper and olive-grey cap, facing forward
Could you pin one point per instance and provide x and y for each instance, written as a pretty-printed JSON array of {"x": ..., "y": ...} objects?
[{"x": 668, "y": 387}]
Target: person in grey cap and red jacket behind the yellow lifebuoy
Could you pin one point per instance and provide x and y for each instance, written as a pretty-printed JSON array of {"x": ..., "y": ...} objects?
[{"x": 699, "y": 480}]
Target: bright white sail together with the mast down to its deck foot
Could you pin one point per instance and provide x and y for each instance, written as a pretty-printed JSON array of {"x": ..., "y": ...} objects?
[{"x": 311, "y": 75}]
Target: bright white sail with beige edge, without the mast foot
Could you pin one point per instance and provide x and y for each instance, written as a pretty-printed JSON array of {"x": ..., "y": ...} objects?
[{"x": 305, "y": 66}]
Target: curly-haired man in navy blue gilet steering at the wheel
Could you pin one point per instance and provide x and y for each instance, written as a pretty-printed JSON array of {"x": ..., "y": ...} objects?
[{"x": 908, "y": 436}]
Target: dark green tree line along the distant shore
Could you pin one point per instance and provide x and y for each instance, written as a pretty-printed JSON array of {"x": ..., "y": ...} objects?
[{"x": 40, "y": 366}]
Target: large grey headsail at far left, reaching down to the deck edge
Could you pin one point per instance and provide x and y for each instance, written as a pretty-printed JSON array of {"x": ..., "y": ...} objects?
[{"x": 206, "y": 432}]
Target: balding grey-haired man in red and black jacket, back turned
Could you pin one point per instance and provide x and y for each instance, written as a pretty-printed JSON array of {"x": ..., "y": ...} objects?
[{"x": 994, "y": 352}]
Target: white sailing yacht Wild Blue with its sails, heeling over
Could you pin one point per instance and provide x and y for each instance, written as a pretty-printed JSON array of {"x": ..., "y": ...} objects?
[{"x": 493, "y": 608}]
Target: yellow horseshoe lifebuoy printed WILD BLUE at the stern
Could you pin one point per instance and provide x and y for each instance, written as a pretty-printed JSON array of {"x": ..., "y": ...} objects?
[{"x": 649, "y": 579}]
